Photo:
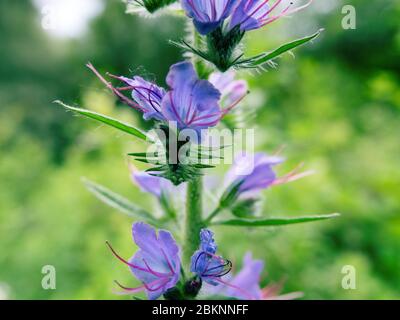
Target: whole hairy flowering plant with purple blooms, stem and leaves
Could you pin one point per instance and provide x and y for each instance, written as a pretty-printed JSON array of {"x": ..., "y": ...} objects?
[{"x": 200, "y": 94}]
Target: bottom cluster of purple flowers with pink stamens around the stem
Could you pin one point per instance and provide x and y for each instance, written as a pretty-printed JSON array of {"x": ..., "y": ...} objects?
[{"x": 157, "y": 265}]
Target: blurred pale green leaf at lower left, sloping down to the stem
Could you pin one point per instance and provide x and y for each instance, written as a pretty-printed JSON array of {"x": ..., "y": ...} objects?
[{"x": 118, "y": 202}]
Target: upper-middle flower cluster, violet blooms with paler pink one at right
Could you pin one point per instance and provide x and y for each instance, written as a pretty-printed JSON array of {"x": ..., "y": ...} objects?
[{"x": 191, "y": 103}]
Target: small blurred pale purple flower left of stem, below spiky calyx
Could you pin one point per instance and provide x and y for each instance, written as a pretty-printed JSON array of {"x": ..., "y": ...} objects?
[{"x": 149, "y": 183}]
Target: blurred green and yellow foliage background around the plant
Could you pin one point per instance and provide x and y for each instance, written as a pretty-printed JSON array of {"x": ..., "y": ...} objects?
[{"x": 336, "y": 106}]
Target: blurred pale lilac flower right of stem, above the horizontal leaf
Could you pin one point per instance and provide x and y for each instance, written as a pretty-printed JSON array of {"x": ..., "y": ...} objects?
[{"x": 253, "y": 172}]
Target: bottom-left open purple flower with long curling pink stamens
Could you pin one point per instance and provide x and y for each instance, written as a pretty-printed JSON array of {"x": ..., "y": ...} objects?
[{"x": 156, "y": 264}]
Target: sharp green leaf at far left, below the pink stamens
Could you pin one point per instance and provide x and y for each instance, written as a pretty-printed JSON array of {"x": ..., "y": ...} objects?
[{"x": 127, "y": 128}]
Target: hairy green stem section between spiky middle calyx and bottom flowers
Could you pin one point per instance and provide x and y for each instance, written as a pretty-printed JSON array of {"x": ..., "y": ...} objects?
[{"x": 193, "y": 220}]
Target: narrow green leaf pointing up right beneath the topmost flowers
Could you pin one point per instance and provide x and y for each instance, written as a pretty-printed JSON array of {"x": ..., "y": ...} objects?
[{"x": 265, "y": 57}]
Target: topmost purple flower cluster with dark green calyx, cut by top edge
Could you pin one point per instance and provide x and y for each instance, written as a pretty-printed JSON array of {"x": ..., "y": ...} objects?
[{"x": 225, "y": 22}]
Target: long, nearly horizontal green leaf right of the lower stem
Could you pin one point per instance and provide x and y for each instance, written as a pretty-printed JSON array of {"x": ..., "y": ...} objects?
[{"x": 270, "y": 222}]
